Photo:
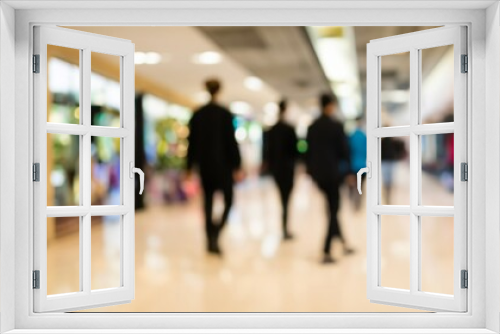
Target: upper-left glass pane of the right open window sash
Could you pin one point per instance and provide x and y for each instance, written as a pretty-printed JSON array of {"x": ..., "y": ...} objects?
[{"x": 395, "y": 86}]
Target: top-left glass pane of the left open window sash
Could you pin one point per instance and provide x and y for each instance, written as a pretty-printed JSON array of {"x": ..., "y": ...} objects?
[{"x": 63, "y": 82}]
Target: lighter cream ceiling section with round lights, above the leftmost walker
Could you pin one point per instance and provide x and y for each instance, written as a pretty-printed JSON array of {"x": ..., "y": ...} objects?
[{"x": 178, "y": 72}]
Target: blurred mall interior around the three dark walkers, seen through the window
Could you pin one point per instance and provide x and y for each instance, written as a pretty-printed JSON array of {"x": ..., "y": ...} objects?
[{"x": 258, "y": 271}]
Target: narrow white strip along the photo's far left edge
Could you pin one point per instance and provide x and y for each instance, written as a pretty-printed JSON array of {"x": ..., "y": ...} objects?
[{"x": 7, "y": 161}]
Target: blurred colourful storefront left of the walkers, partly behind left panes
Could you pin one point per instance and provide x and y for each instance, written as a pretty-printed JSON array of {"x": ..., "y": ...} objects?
[{"x": 164, "y": 140}]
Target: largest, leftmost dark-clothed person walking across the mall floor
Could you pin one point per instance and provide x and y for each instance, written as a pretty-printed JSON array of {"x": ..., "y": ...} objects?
[{"x": 214, "y": 150}]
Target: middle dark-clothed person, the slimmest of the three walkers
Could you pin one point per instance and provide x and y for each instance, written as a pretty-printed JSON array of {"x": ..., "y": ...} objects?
[{"x": 280, "y": 153}]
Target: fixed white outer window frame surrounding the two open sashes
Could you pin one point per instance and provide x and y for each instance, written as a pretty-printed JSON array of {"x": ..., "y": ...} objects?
[{"x": 483, "y": 102}]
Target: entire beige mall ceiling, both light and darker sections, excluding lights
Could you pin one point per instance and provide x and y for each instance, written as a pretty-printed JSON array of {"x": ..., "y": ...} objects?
[{"x": 281, "y": 56}]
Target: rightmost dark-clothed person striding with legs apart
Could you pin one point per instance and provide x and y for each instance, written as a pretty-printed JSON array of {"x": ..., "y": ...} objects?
[{"x": 327, "y": 147}]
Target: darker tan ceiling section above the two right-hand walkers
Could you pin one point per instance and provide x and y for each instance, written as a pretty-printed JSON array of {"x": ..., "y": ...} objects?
[{"x": 282, "y": 56}]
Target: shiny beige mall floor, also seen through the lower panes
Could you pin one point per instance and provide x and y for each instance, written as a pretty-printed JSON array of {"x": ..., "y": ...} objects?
[{"x": 258, "y": 272}]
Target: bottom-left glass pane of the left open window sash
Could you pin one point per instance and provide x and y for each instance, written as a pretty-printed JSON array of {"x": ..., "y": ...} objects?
[{"x": 63, "y": 255}]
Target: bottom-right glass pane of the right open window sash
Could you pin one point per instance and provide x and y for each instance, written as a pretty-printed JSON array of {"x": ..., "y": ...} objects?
[{"x": 437, "y": 254}]
